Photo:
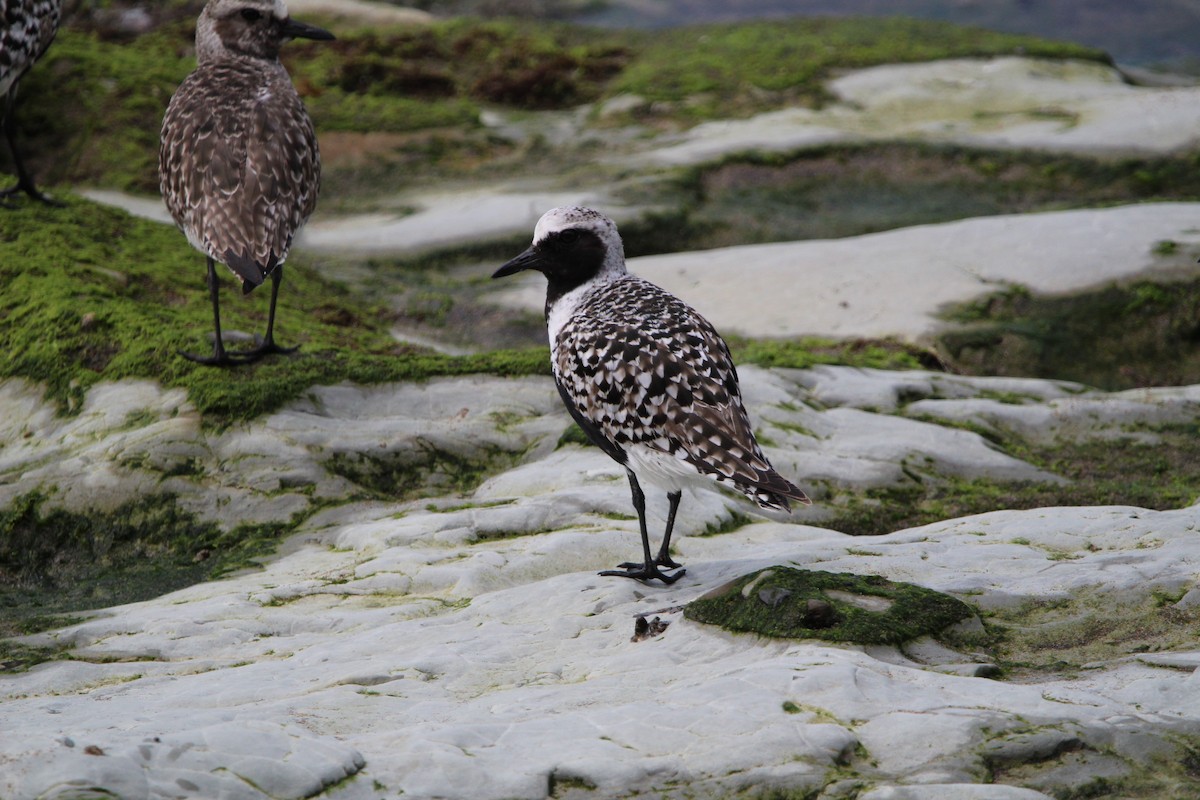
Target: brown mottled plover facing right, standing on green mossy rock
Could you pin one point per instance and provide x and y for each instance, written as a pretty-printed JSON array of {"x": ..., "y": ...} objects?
[{"x": 238, "y": 165}]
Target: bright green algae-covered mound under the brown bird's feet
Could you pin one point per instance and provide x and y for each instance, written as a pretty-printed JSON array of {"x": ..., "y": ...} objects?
[{"x": 94, "y": 294}]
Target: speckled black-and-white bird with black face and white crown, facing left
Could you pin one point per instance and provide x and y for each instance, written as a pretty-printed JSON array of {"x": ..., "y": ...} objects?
[{"x": 647, "y": 378}]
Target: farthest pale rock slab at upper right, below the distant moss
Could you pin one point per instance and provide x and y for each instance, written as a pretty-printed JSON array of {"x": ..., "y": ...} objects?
[{"x": 1004, "y": 103}]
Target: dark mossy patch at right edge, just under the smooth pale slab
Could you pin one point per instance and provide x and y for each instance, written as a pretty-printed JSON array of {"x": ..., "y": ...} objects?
[{"x": 1118, "y": 338}]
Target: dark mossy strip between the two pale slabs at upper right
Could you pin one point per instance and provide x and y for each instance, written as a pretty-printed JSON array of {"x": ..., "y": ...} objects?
[{"x": 851, "y": 190}]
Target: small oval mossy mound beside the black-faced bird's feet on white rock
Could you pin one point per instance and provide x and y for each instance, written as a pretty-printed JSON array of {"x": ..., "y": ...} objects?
[{"x": 787, "y": 603}]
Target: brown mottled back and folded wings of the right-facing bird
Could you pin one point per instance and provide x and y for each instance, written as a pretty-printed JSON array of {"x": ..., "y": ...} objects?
[{"x": 239, "y": 170}]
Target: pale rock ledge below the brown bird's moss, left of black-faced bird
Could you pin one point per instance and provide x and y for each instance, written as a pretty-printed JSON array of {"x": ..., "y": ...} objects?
[{"x": 134, "y": 440}]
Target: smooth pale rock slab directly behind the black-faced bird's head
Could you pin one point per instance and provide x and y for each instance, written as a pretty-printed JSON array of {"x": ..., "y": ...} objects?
[{"x": 897, "y": 284}]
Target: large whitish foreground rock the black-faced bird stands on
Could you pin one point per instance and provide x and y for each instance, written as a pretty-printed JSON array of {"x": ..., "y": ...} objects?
[{"x": 465, "y": 647}]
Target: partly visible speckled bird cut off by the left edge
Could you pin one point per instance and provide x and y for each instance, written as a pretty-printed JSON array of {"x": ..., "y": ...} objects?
[{"x": 29, "y": 28}]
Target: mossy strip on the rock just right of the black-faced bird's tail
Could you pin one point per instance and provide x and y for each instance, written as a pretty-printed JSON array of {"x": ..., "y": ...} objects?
[{"x": 1162, "y": 474}]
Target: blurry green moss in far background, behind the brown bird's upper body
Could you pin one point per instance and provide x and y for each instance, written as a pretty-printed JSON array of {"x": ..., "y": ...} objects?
[{"x": 92, "y": 110}]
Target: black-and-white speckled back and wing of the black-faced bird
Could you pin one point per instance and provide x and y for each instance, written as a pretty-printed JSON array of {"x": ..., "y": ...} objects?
[{"x": 668, "y": 383}]
